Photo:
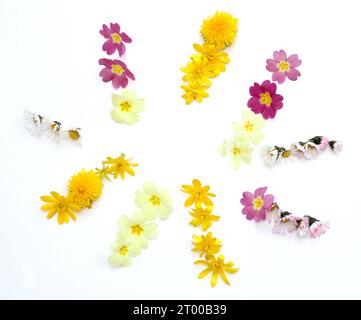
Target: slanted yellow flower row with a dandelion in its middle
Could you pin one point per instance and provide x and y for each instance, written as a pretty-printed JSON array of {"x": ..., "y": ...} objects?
[{"x": 84, "y": 188}]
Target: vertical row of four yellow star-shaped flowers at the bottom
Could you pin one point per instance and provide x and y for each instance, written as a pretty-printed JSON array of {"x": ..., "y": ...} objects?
[{"x": 206, "y": 245}]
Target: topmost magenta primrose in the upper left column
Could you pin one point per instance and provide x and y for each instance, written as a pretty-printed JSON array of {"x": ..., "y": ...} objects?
[{"x": 116, "y": 39}]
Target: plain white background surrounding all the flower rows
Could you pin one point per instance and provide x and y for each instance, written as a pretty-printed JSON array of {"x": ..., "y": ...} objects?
[{"x": 49, "y": 53}]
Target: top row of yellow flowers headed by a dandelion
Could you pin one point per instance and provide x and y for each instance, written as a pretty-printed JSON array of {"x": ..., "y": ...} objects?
[{"x": 209, "y": 61}]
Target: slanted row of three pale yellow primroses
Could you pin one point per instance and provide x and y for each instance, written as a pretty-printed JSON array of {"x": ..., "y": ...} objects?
[{"x": 134, "y": 233}]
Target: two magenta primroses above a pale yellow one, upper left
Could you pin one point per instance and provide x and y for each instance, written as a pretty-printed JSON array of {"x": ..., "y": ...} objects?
[{"x": 115, "y": 70}]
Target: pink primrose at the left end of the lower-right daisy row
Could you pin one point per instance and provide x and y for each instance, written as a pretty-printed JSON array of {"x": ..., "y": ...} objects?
[{"x": 257, "y": 205}]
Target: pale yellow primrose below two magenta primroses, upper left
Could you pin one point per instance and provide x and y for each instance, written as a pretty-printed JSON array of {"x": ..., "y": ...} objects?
[{"x": 127, "y": 107}]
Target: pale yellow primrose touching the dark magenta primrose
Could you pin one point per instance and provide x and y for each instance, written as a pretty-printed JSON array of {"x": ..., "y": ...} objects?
[{"x": 251, "y": 126}]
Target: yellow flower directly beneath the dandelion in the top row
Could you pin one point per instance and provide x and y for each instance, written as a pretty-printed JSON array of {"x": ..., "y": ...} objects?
[{"x": 215, "y": 56}]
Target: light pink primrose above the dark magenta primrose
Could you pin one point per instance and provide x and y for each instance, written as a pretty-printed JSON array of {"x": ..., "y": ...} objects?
[{"x": 283, "y": 66}]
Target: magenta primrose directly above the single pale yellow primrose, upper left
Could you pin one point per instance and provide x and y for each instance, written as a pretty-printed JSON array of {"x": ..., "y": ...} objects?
[{"x": 115, "y": 71}]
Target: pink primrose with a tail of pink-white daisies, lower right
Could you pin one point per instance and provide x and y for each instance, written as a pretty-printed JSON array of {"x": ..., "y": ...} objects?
[{"x": 260, "y": 206}]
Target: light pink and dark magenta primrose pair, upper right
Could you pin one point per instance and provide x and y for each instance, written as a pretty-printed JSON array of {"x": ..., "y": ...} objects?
[{"x": 264, "y": 97}]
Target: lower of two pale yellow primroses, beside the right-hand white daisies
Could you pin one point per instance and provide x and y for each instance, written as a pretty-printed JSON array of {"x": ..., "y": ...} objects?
[{"x": 237, "y": 150}]
